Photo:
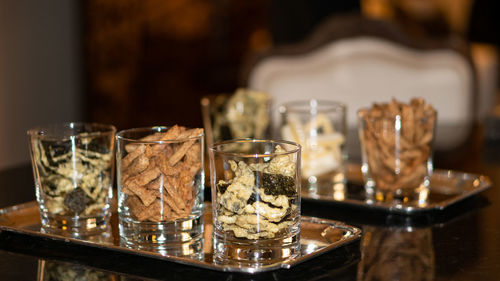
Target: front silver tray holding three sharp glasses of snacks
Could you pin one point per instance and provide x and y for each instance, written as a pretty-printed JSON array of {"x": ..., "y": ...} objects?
[{"x": 318, "y": 236}]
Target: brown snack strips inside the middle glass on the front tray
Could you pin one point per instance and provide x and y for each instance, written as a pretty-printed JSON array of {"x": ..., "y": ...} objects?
[{"x": 160, "y": 179}]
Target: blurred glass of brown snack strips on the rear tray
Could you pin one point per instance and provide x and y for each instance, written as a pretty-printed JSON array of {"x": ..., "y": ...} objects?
[{"x": 396, "y": 147}]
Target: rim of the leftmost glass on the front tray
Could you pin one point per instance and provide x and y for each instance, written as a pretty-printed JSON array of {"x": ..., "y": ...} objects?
[{"x": 44, "y": 131}]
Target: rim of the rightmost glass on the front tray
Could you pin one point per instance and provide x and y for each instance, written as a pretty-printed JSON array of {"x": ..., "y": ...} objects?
[{"x": 254, "y": 155}]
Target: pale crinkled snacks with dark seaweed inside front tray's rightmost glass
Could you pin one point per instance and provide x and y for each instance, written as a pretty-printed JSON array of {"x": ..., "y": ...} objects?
[{"x": 260, "y": 201}]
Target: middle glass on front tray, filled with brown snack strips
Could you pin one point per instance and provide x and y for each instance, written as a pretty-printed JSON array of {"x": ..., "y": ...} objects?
[{"x": 160, "y": 189}]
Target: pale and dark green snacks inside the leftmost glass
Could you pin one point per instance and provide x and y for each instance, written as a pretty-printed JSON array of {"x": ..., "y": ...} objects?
[{"x": 75, "y": 177}]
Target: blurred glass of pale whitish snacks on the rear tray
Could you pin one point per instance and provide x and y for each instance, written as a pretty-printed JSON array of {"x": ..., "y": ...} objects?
[{"x": 319, "y": 126}]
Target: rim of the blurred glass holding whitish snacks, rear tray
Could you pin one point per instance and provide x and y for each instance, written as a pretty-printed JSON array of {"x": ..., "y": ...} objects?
[{"x": 321, "y": 105}]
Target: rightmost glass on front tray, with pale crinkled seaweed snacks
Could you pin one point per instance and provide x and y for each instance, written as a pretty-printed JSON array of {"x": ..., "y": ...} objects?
[{"x": 255, "y": 201}]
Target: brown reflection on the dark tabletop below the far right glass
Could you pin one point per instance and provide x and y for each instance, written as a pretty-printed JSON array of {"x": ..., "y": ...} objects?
[{"x": 396, "y": 254}]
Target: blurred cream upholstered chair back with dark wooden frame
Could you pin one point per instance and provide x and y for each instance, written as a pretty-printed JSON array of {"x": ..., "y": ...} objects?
[{"x": 359, "y": 61}]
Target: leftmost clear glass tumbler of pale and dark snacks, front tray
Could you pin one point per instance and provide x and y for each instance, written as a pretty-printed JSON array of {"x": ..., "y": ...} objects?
[{"x": 73, "y": 167}]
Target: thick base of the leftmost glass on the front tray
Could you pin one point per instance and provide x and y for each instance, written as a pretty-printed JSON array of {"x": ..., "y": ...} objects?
[{"x": 75, "y": 226}]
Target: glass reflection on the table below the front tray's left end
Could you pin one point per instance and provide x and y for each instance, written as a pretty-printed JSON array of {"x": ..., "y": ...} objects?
[{"x": 55, "y": 270}]
